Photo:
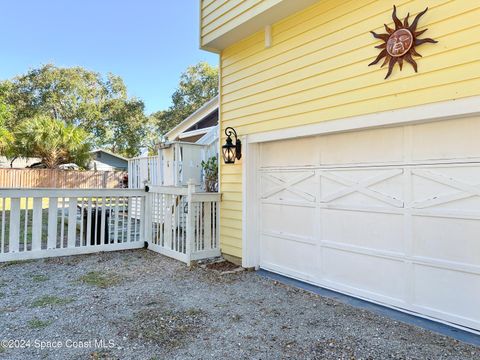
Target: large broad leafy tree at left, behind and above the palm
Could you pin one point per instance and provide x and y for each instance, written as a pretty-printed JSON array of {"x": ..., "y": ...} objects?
[{"x": 99, "y": 105}]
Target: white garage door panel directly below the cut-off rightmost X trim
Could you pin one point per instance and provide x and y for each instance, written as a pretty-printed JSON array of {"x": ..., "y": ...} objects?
[{"x": 450, "y": 239}]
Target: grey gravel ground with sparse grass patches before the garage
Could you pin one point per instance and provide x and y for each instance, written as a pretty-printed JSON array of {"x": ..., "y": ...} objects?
[{"x": 145, "y": 306}]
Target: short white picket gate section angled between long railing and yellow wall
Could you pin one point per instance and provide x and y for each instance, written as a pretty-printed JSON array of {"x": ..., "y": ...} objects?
[{"x": 185, "y": 224}]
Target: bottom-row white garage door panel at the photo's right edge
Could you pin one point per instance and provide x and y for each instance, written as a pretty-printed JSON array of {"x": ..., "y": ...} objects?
[{"x": 452, "y": 293}]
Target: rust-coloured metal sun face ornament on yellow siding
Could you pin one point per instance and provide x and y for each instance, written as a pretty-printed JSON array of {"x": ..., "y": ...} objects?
[{"x": 399, "y": 43}]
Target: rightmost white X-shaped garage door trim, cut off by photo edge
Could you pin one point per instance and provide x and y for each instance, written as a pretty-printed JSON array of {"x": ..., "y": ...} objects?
[{"x": 466, "y": 190}]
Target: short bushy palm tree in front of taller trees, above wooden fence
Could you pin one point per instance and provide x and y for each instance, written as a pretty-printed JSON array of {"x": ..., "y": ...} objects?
[{"x": 53, "y": 141}]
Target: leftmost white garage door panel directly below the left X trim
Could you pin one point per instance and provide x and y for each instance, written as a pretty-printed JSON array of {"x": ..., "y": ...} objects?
[{"x": 278, "y": 219}]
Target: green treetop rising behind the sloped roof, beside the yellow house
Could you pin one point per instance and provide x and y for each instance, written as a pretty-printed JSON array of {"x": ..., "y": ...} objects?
[{"x": 198, "y": 84}]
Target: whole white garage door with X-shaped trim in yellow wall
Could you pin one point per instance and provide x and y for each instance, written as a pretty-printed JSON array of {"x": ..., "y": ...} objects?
[{"x": 391, "y": 215}]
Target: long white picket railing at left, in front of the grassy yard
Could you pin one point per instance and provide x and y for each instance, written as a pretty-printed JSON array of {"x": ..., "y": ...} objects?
[{"x": 36, "y": 223}]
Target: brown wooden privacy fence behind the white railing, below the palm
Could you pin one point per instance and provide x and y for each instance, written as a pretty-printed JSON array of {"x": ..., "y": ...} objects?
[{"x": 60, "y": 179}]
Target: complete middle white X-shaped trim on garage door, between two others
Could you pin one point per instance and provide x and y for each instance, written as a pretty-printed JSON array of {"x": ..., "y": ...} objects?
[{"x": 362, "y": 187}]
